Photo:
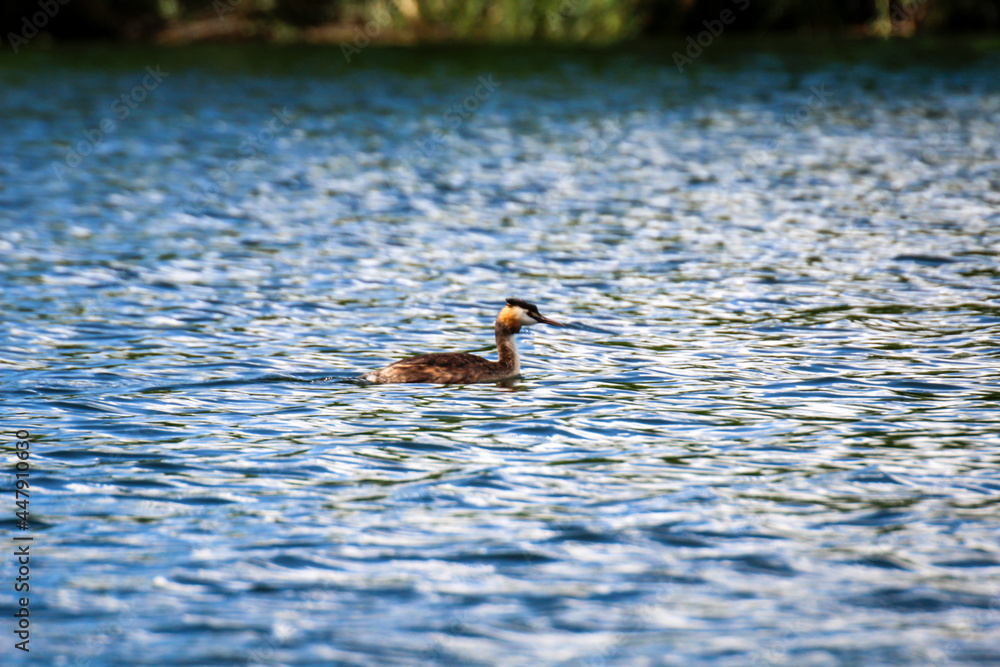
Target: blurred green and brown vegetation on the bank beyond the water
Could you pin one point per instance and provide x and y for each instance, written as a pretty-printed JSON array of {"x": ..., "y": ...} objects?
[{"x": 406, "y": 21}]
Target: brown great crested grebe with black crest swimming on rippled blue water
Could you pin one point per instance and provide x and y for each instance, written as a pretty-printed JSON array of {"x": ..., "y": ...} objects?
[{"x": 468, "y": 368}]
